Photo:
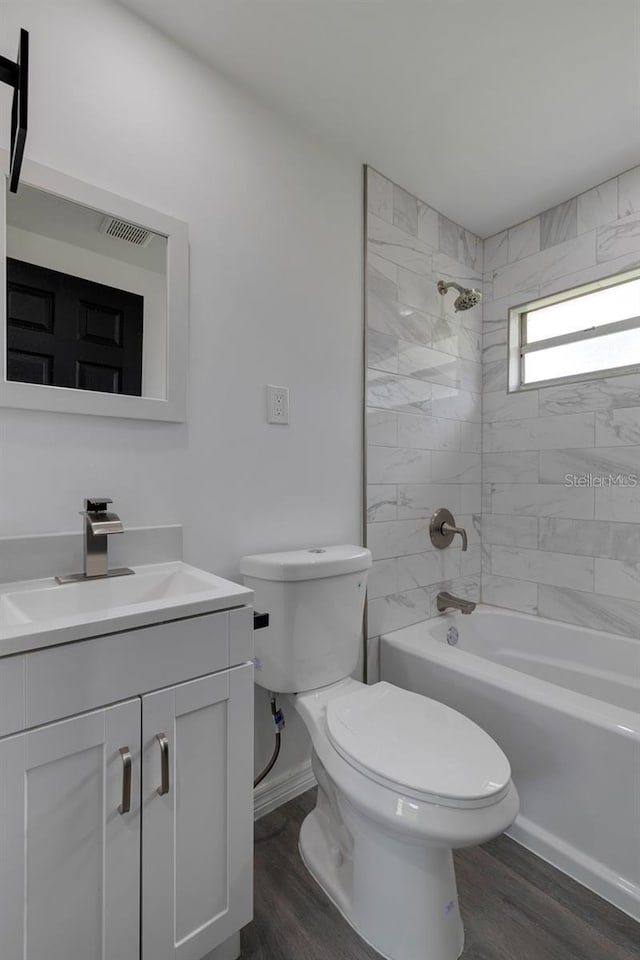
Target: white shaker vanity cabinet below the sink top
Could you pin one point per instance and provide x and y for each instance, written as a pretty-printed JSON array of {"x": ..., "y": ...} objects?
[{"x": 126, "y": 798}]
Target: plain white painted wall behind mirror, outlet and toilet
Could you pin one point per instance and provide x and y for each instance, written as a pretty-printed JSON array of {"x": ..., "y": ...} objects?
[{"x": 276, "y": 264}]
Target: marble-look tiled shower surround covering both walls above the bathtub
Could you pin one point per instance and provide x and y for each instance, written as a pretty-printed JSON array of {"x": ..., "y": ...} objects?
[{"x": 567, "y": 552}]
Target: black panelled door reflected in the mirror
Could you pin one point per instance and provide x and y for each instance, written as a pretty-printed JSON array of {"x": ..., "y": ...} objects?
[{"x": 68, "y": 332}]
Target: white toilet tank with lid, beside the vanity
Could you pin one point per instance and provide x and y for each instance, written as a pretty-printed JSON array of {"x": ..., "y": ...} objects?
[{"x": 315, "y": 601}]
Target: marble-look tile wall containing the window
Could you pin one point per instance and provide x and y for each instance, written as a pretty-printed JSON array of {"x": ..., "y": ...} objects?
[{"x": 567, "y": 552}]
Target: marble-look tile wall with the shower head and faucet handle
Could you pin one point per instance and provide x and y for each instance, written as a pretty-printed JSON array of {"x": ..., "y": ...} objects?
[{"x": 424, "y": 387}]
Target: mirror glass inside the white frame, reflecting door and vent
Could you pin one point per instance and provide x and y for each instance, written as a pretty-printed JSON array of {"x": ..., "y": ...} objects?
[{"x": 86, "y": 298}]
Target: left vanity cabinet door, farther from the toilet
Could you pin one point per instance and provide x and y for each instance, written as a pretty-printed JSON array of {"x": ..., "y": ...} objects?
[{"x": 69, "y": 859}]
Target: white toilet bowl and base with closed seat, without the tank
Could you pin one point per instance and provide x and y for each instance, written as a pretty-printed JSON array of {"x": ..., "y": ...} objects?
[{"x": 380, "y": 839}]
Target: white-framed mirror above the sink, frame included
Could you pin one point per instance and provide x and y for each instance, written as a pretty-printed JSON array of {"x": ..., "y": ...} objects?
[{"x": 95, "y": 312}]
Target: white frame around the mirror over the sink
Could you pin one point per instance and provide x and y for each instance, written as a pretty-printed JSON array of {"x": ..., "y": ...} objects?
[{"x": 34, "y": 396}]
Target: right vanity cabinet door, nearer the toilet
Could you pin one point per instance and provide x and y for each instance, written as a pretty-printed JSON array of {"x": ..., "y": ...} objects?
[{"x": 197, "y": 838}]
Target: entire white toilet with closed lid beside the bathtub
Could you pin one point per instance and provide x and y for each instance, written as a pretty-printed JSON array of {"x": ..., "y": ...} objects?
[{"x": 402, "y": 779}]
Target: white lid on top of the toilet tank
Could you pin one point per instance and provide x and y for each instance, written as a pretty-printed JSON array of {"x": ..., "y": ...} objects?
[{"x": 310, "y": 564}]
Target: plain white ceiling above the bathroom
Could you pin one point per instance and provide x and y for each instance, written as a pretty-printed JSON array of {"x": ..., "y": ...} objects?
[{"x": 489, "y": 110}]
